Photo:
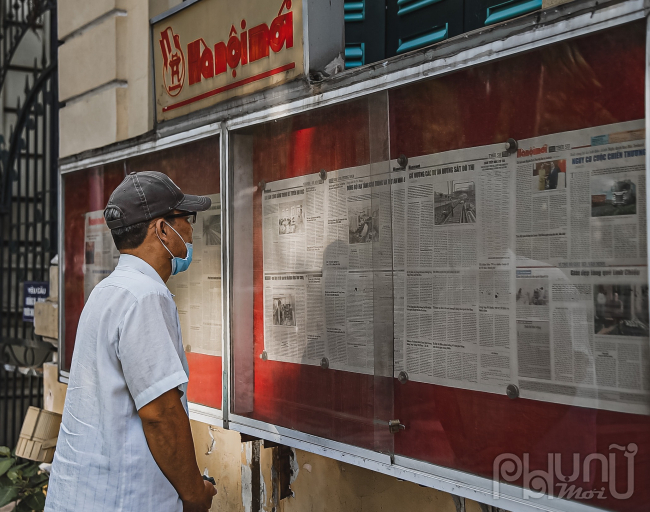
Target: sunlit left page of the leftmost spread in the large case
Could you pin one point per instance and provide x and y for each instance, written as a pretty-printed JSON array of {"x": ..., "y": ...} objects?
[{"x": 293, "y": 227}]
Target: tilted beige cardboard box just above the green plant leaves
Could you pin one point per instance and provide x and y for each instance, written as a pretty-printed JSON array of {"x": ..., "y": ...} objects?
[{"x": 38, "y": 436}]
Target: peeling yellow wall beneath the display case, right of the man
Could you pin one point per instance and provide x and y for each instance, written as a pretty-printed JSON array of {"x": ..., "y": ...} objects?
[{"x": 322, "y": 484}]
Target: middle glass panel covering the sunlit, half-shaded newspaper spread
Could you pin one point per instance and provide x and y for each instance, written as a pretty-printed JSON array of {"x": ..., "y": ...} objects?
[{"x": 312, "y": 273}]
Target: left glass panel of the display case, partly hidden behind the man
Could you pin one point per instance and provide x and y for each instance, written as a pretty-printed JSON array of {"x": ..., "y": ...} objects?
[{"x": 90, "y": 254}]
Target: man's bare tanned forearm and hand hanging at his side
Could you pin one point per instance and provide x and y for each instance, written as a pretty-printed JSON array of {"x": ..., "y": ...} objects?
[{"x": 167, "y": 429}]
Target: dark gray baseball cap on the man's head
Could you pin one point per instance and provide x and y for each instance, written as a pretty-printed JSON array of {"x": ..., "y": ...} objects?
[{"x": 147, "y": 195}]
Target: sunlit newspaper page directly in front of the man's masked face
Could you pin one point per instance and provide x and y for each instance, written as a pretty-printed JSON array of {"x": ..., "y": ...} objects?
[{"x": 197, "y": 291}]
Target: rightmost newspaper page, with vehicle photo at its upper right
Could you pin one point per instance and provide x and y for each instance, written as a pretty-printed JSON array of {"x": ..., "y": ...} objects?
[{"x": 582, "y": 282}]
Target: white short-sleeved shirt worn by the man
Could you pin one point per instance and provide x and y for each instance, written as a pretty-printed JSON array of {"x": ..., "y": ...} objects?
[{"x": 128, "y": 351}]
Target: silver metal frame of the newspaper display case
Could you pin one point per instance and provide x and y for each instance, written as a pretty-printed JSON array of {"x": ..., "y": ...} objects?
[{"x": 568, "y": 21}]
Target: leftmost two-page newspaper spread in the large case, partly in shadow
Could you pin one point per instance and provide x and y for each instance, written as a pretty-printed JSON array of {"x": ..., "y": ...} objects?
[{"x": 327, "y": 254}]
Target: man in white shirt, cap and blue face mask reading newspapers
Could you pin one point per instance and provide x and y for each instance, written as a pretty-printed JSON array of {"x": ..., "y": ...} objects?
[{"x": 125, "y": 443}]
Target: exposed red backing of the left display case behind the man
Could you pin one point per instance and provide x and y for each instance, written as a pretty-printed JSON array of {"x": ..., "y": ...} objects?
[{"x": 195, "y": 169}]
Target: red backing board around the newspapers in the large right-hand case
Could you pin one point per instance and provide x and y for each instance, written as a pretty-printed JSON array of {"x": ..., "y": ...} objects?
[{"x": 591, "y": 81}]
